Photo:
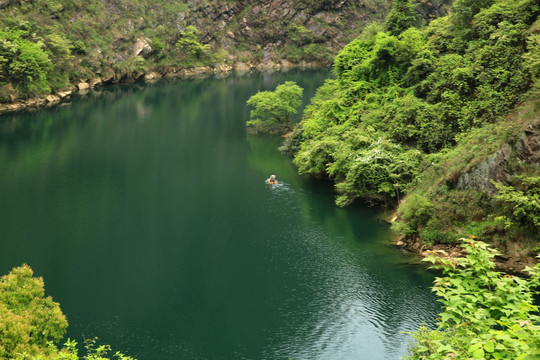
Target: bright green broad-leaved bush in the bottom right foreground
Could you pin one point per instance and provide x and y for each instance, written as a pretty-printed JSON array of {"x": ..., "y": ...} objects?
[{"x": 486, "y": 315}]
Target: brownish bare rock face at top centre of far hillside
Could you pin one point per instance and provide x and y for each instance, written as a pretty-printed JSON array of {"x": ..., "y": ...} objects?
[{"x": 267, "y": 24}]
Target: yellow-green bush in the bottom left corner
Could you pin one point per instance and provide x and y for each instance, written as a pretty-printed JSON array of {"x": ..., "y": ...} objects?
[{"x": 31, "y": 323}]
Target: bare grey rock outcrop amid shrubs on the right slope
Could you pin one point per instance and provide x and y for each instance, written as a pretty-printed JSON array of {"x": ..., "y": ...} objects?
[{"x": 492, "y": 168}]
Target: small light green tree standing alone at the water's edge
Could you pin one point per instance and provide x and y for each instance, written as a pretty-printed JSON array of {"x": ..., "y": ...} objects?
[{"x": 272, "y": 109}]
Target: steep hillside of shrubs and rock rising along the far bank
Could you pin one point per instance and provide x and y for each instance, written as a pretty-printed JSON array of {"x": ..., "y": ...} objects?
[{"x": 54, "y": 45}]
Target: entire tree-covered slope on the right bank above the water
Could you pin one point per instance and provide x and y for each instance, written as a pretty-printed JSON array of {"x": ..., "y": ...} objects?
[{"x": 409, "y": 100}]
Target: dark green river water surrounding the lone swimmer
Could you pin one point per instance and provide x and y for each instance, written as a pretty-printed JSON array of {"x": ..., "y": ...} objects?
[{"x": 144, "y": 208}]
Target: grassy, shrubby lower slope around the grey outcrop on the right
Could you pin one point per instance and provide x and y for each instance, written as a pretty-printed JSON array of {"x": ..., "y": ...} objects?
[{"x": 457, "y": 212}]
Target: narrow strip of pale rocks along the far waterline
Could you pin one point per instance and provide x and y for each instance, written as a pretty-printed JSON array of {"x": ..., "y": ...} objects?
[{"x": 150, "y": 75}]
